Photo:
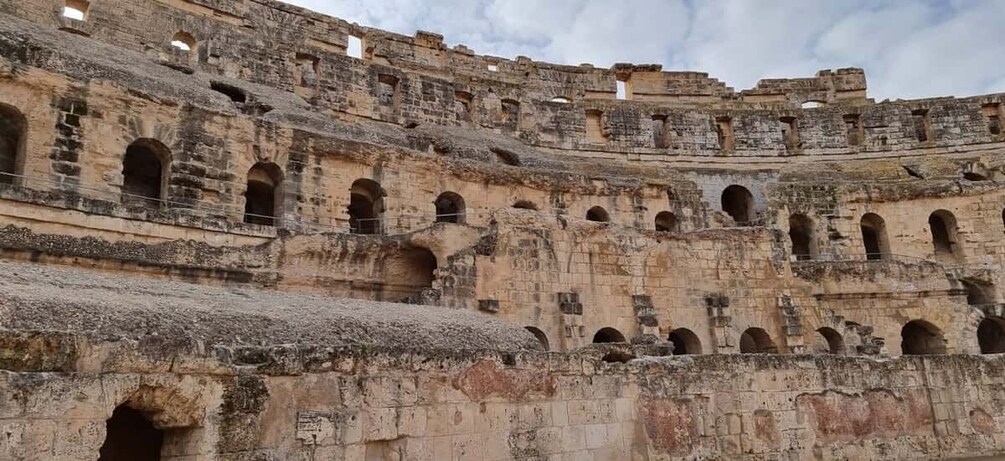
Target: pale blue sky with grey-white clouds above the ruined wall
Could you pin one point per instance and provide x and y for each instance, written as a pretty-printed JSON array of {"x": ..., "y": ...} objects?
[{"x": 910, "y": 49}]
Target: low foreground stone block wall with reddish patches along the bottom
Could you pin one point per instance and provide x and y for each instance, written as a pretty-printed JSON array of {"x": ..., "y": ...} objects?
[{"x": 298, "y": 403}]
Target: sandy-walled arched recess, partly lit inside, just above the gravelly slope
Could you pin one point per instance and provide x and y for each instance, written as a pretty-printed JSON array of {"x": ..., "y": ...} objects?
[{"x": 409, "y": 275}]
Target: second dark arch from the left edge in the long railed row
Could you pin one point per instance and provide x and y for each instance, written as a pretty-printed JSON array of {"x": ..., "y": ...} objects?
[{"x": 145, "y": 179}]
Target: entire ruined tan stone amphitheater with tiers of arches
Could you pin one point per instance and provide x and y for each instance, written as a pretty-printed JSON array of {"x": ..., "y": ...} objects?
[{"x": 241, "y": 230}]
